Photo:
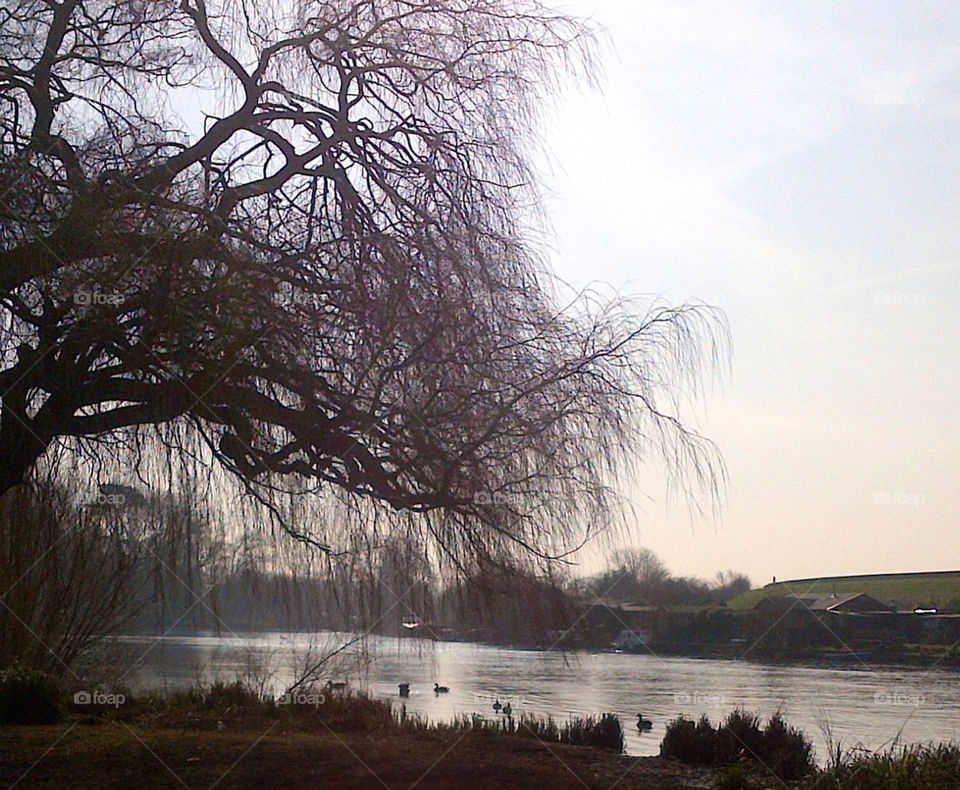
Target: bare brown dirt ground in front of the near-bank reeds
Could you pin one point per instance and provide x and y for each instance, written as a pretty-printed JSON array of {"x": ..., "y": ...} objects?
[{"x": 117, "y": 755}]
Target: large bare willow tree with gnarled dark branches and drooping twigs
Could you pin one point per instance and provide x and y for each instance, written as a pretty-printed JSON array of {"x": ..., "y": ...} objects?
[{"x": 294, "y": 238}]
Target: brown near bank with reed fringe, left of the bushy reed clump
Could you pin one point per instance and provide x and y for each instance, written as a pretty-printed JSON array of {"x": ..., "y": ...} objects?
[{"x": 227, "y": 735}]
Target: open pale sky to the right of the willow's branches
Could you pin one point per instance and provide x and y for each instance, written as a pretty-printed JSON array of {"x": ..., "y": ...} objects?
[{"x": 795, "y": 164}]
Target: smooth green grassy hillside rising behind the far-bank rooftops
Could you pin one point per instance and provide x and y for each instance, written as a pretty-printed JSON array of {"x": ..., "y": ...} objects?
[{"x": 907, "y": 590}]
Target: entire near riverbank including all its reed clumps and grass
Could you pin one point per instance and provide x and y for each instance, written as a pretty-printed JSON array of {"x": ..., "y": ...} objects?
[{"x": 227, "y": 735}]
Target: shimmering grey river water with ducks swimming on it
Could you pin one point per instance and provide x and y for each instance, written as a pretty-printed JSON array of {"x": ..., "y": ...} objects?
[{"x": 873, "y": 707}]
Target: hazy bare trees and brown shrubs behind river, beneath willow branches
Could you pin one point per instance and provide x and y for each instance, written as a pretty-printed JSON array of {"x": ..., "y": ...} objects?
[{"x": 117, "y": 560}]
